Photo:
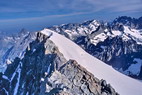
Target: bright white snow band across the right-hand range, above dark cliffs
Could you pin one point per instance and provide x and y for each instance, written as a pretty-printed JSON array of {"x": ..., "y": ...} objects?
[{"x": 126, "y": 34}]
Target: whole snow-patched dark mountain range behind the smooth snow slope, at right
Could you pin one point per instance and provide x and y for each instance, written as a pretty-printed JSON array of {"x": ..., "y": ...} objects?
[{"x": 118, "y": 43}]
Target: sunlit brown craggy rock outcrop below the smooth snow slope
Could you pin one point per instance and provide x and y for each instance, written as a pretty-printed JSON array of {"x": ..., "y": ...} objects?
[{"x": 73, "y": 79}]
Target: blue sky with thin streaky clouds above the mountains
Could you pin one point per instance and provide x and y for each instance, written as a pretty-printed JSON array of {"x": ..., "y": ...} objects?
[{"x": 37, "y": 14}]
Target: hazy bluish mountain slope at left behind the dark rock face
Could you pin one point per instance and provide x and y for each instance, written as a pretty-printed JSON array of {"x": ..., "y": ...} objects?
[{"x": 14, "y": 46}]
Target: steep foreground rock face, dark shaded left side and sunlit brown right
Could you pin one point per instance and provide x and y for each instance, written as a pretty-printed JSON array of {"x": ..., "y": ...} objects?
[{"x": 44, "y": 71}]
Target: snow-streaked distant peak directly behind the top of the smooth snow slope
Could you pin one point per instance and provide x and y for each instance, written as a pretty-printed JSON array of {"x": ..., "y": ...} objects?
[{"x": 73, "y": 30}]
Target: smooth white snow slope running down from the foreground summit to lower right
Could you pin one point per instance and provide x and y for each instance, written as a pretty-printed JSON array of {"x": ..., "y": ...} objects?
[{"x": 124, "y": 85}]
